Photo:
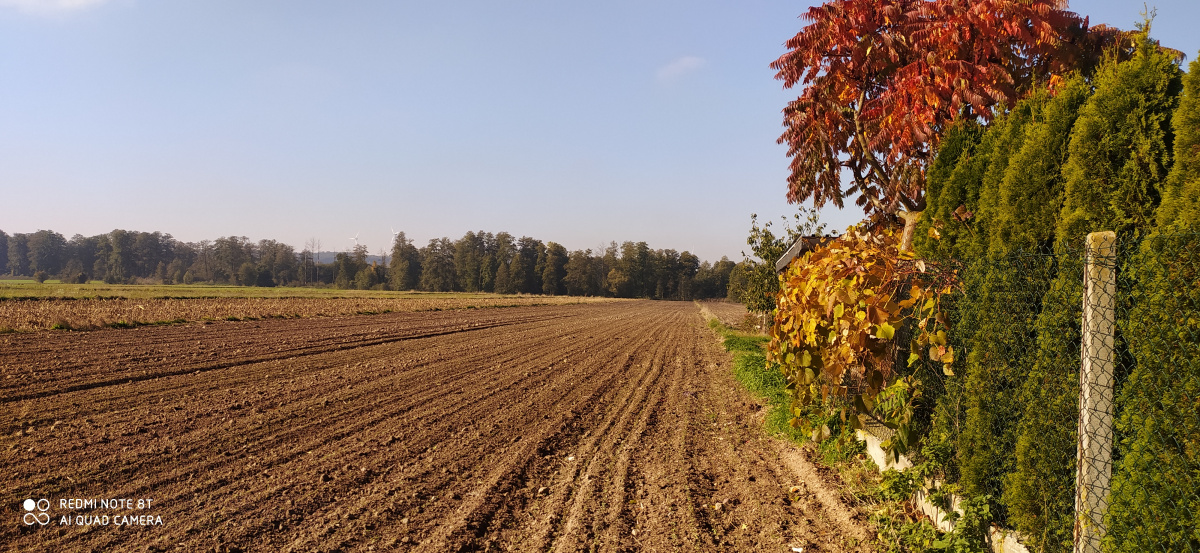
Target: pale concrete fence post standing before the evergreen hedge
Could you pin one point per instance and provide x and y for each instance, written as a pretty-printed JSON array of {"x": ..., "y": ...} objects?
[{"x": 1095, "y": 455}]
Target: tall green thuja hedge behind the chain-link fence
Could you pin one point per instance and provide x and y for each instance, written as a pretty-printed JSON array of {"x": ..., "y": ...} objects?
[{"x": 1119, "y": 151}]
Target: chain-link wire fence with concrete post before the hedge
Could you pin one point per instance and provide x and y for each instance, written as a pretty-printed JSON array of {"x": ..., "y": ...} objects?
[{"x": 1075, "y": 406}]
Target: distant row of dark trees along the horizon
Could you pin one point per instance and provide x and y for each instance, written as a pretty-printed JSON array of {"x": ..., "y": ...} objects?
[{"x": 478, "y": 262}]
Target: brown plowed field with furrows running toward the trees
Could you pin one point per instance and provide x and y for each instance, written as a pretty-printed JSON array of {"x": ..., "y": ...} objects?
[{"x": 608, "y": 426}]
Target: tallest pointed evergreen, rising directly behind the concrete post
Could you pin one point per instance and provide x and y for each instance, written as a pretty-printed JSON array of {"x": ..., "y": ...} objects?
[{"x": 1119, "y": 154}]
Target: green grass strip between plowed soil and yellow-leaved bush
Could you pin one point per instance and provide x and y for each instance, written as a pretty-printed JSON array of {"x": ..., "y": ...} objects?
[{"x": 766, "y": 382}]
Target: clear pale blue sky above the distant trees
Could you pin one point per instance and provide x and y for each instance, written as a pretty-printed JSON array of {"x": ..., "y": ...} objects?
[{"x": 579, "y": 123}]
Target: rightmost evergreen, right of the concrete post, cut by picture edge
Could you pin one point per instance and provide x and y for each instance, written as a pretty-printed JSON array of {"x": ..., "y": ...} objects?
[{"x": 1156, "y": 480}]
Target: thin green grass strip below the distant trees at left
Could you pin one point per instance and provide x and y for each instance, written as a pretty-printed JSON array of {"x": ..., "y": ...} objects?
[{"x": 13, "y": 290}]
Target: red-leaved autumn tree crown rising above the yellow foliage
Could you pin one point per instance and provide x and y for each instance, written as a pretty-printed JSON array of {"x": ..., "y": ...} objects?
[{"x": 884, "y": 79}]
